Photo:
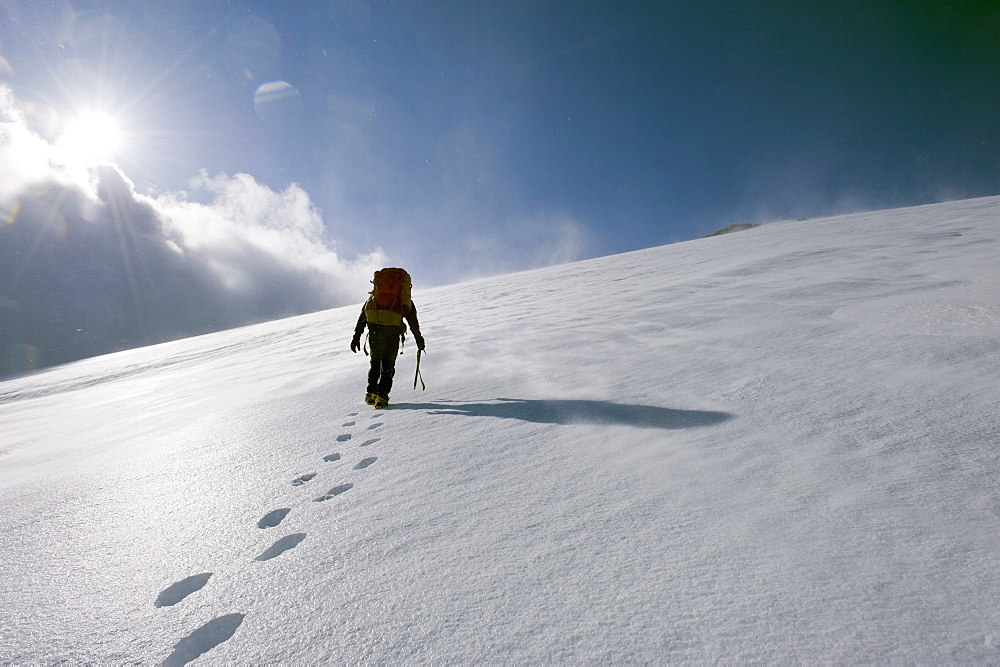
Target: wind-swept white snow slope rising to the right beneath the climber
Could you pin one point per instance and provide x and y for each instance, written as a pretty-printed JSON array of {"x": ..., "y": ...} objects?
[{"x": 778, "y": 445}]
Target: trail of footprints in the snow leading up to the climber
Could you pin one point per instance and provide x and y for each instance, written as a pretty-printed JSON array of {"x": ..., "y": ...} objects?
[{"x": 222, "y": 628}]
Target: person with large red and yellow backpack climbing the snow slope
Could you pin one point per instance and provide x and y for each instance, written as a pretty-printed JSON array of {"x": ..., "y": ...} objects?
[{"x": 384, "y": 314}]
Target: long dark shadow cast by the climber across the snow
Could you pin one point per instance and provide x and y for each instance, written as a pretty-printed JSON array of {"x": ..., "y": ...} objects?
[{"x": 575, "y": 412}]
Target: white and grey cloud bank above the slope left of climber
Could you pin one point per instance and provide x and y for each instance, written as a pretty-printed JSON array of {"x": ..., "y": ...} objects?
[{"x": 88, "y": 265}]
